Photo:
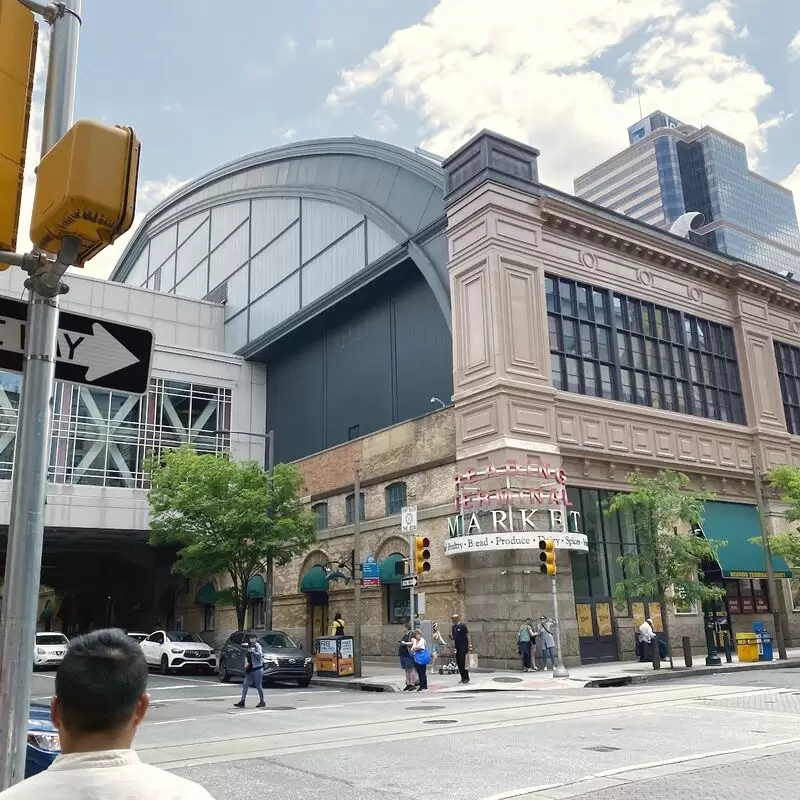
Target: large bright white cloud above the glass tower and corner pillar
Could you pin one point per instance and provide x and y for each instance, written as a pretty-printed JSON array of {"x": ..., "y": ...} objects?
[{"x": 525, "y": 70}]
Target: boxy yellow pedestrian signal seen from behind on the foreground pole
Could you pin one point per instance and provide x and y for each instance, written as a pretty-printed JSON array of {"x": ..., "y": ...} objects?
[{"x": 86, "y": 188}]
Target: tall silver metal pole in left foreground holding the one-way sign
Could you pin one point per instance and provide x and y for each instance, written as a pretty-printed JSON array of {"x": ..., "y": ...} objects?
[{"x": 32, "y": 447}]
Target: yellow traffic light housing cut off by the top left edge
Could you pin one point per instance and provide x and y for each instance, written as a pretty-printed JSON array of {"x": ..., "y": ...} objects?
[{"x": 18, "y": 33}]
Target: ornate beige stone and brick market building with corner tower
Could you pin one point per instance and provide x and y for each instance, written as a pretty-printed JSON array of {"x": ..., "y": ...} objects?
[{"x": 589, "y": 342}]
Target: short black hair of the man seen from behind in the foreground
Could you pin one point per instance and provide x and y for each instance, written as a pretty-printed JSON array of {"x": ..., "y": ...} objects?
[{"x": 101, "y": 679}]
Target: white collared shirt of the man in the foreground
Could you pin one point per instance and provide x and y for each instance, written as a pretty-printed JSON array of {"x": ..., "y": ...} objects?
[{"x": 103, "y": 775}]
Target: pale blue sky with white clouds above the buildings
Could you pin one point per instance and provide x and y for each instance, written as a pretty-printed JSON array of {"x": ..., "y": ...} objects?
[{"x": 205, "y": 82}]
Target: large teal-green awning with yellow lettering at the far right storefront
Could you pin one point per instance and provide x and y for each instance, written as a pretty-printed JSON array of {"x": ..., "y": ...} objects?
[{"x": 736, "y": 524}]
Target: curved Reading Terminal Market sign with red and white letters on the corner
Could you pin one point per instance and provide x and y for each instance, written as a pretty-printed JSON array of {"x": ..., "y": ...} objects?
[{"x": 513, "y": 517}]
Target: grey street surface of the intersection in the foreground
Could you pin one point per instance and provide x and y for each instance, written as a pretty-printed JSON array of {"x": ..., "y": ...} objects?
[{"x": 677, "y": 739}]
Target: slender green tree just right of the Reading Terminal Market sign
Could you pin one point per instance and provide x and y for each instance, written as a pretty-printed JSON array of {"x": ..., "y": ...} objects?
[{"x": 665, "y": 558}]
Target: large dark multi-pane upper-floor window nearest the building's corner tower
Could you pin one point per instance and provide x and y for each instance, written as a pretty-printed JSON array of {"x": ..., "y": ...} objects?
[{"x": 609, "y": 345}]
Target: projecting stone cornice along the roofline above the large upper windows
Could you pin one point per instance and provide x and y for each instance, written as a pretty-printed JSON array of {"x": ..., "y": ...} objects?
[{"x": 662, "y": 249}]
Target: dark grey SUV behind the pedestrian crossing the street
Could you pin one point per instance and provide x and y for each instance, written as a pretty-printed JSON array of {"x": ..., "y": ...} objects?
[{"x": 284, "y": 659}]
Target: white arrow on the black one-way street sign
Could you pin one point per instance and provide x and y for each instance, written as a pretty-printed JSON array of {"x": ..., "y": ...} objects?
[{"x": 100, "y": 352}]
